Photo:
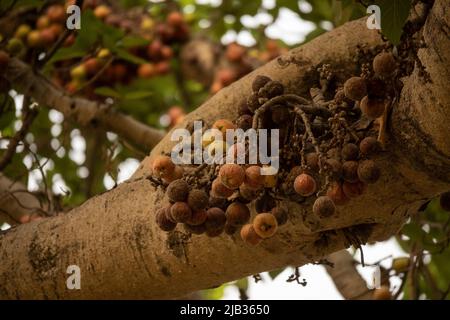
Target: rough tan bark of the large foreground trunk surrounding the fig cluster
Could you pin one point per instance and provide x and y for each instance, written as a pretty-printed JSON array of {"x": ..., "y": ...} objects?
[{"x": 123, "y": 254}]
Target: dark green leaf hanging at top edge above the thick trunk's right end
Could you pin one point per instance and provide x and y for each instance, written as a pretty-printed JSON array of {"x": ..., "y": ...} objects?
[{"x": 393, "y": 17}]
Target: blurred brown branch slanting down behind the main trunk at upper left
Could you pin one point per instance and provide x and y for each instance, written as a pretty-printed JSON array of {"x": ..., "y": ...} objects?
[{"x": 82, "y": 111}]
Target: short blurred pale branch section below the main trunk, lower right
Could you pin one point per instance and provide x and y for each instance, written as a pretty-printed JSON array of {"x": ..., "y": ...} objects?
[{"x": 346, "y": 277}]
